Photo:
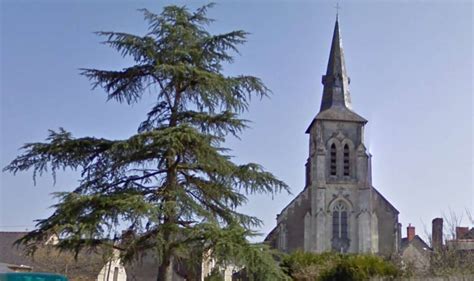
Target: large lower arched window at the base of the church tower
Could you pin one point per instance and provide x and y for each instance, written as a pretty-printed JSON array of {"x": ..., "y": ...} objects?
[{"x": 340, "y": 236}]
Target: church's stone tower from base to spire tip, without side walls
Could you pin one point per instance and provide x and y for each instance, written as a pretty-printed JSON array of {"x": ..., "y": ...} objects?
[{"x": 338, "y": 166}]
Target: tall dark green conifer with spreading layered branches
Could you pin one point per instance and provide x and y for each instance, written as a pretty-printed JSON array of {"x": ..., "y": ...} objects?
[{"x": 172, "y": 186}]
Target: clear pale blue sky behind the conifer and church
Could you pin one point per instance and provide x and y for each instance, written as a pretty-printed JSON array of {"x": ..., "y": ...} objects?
[{"x": 411, "y": 69}]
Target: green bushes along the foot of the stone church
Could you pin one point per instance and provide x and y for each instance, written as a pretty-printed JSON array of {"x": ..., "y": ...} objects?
[{"x": 334, "y": 267}]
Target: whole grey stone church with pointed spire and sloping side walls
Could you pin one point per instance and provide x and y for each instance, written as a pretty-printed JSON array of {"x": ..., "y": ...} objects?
[{"x": 339, "y": 209}]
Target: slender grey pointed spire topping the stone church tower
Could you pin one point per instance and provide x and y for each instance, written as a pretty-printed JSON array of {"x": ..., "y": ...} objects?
[{"x": 336, "y": 82}]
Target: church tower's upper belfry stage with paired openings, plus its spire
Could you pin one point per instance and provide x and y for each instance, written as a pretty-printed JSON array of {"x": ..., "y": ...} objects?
[{"x": 336, "y": 133}]
